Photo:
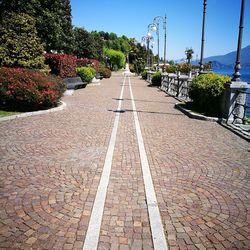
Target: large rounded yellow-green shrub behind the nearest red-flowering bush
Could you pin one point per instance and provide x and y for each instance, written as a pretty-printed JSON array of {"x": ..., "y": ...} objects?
[{"x": 19, "y": 44}]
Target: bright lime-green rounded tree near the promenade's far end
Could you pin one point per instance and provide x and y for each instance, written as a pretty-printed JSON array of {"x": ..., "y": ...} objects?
[{"x": 116, "y": 58}]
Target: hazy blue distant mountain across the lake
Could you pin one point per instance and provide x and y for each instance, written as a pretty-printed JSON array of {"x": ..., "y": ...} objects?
[{"x": 228, "y": 60}]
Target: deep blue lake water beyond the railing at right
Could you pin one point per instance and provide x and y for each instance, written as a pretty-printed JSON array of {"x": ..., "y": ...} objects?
[{"x": 245, "y": 77}]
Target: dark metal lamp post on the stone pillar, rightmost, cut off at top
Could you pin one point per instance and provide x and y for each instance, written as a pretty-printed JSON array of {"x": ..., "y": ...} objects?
[{"x": 236, "y": 75}]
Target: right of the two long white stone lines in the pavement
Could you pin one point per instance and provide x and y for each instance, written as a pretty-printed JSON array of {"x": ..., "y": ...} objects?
[{"x": 157, "y": 229}]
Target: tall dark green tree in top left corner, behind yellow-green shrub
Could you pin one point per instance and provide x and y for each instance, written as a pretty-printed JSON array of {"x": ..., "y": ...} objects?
[{"x": 53, "y": 20}]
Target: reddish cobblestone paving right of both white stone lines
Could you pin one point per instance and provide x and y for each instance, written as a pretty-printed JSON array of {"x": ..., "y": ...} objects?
[{"x": 200, "y": 173}]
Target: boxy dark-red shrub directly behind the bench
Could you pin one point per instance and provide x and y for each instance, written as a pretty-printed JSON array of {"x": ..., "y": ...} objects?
[{"x": 61, "y": 64}]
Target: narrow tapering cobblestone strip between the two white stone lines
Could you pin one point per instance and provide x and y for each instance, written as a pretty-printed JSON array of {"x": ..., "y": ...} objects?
[{"x": 125, "y": 221}]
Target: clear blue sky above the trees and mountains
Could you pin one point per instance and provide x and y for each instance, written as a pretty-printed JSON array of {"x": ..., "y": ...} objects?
[{"x": 184, "y": 20}]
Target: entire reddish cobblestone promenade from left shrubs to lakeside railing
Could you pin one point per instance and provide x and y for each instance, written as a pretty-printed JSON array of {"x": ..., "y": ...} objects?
[{"x": 51, "y": 166}]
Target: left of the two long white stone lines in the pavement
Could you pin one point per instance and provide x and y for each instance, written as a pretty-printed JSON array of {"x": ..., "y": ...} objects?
[{"x": 93, "y": 232}]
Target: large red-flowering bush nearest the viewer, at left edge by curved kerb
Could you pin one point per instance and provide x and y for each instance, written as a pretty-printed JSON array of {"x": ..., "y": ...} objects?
[{"x": 25, "y": 90}]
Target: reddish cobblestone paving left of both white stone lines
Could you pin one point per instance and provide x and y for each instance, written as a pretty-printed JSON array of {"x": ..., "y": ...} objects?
[{"x": 50, "y": 170}]
